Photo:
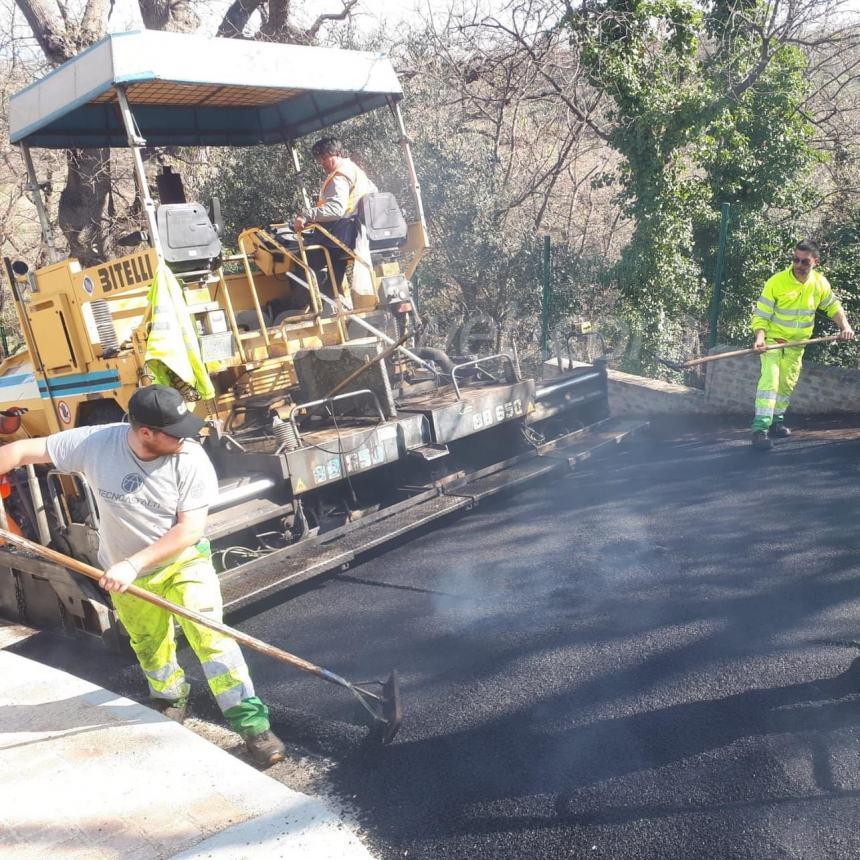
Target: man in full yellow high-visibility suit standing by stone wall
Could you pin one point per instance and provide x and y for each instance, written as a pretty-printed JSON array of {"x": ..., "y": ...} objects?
[{"x": 785, "y": 312}]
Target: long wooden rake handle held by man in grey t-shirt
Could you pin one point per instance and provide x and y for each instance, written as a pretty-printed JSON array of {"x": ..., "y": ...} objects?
[{"x": 252, "y": 642}]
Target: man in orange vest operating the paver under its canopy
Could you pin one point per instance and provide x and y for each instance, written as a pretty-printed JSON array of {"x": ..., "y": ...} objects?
[{"x": 336, "y": 210}]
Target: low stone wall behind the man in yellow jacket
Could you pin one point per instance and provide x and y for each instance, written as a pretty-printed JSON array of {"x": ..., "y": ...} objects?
[{"x": 730, "y": 386}]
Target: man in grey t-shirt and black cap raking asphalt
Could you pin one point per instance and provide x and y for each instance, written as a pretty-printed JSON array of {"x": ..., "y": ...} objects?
[{"x": 153, "y": 484}]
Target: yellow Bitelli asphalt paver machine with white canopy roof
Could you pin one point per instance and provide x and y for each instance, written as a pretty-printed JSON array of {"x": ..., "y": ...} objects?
[{"x": 332, "y": 427}]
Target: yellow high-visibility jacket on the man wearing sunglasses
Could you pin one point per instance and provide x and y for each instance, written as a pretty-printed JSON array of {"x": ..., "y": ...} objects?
[{"x": 786, "y": 308}]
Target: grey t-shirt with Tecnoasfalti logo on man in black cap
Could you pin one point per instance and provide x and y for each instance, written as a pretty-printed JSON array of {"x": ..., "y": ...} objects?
[{"x": 138, "y": 500}]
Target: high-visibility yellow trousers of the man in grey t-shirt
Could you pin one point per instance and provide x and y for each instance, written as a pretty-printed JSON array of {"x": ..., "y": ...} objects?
[{"x": 194, "y": 585}]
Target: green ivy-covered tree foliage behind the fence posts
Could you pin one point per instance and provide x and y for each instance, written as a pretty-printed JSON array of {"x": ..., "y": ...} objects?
[{"x": 698, "y": 123}]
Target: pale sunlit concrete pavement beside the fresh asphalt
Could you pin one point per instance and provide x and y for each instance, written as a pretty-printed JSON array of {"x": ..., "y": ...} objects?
[{"x": 91, "y": 774}]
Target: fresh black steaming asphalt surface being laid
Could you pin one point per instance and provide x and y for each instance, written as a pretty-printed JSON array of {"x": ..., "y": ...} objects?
[{"x": 649, "y": 659}]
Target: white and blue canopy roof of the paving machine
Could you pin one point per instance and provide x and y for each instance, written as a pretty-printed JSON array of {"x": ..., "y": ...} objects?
[{"x": 196, "y": 91}]
